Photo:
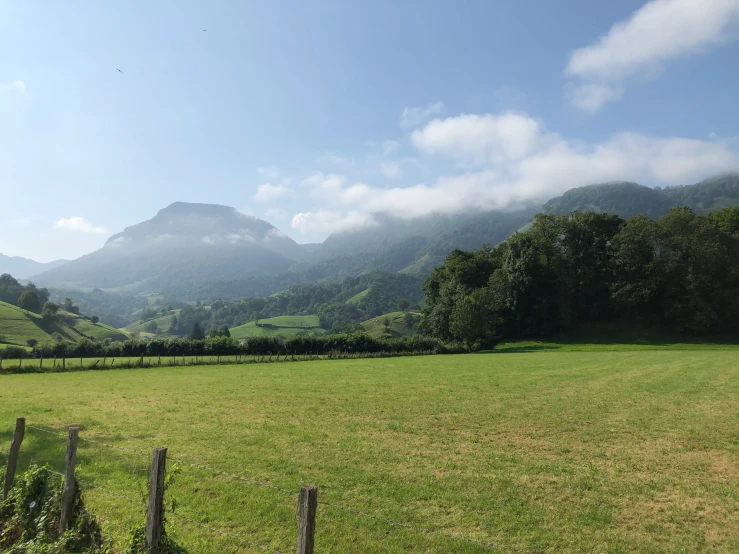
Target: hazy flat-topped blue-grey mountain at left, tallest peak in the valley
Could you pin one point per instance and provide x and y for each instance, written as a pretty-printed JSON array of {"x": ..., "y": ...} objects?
[{"x": 182, "y": 243}]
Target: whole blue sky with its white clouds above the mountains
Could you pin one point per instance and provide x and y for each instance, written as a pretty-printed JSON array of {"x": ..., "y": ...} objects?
[{"x": 316, "y": 115}]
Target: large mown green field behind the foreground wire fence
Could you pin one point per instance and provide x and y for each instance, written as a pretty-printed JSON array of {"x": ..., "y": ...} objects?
[{"x": 543, "y": 451}]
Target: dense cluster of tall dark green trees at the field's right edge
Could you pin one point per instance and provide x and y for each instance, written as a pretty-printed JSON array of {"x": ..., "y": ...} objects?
[{"x": 680, "y": 272}]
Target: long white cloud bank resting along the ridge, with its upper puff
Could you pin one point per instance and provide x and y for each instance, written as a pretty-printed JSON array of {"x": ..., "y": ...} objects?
[{"x": 515, "y": 161}]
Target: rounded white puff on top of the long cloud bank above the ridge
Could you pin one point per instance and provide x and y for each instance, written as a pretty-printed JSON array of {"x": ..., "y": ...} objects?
[{"x": 479, "y": 139}]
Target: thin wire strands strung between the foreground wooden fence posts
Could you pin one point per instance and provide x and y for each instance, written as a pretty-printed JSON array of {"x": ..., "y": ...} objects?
[{"x": 259, "y": 483}]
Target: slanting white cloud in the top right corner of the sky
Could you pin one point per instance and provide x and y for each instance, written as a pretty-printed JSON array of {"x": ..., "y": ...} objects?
[{"x": 658, "y": 32}]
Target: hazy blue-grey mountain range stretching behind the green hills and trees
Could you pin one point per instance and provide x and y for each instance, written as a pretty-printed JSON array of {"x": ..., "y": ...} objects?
[{"x": 197, "y": 251}]
